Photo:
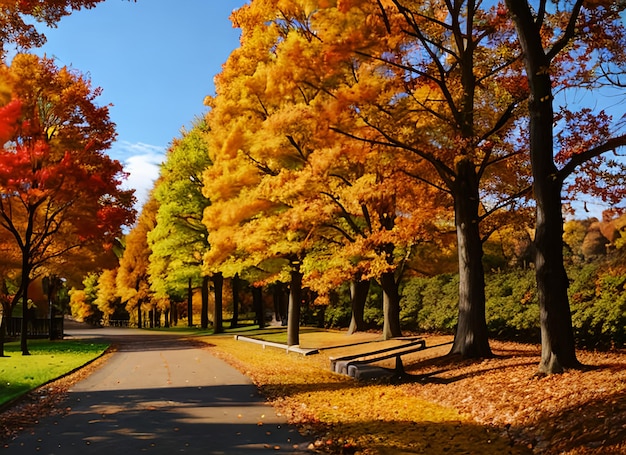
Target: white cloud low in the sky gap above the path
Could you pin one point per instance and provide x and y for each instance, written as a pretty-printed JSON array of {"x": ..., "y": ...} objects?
[{"x": 142, "y": 162}]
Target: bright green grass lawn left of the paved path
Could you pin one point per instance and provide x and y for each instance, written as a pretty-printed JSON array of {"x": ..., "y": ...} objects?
[{"x": 48, "y": 360}]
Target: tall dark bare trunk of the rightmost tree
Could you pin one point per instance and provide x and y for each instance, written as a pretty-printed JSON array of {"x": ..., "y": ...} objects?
[{"x": 558, "y": 350}]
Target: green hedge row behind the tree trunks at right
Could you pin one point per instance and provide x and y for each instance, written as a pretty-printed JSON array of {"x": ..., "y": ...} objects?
[{"x": 596, "y": 291}]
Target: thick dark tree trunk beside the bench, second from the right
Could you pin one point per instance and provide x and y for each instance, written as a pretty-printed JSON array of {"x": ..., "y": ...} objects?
[{"x": 471, "y": 339}]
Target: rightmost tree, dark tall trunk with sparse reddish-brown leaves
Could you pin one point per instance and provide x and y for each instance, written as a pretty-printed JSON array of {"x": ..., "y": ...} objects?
[{"x": 575, "y": 45}]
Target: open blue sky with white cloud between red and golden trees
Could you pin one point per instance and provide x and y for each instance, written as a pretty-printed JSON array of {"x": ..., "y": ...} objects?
[{"x": 155, "y": 61}]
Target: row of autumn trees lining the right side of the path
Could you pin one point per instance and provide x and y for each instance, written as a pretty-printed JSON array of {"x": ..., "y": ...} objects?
[{"x": 346, "y": 140}]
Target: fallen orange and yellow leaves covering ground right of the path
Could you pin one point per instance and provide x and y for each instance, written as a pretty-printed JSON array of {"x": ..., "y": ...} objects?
[{"x": 446, "y": 405}]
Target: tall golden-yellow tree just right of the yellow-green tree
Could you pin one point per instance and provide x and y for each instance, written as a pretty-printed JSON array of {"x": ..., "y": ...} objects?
[{"x": 250, "y": 230}]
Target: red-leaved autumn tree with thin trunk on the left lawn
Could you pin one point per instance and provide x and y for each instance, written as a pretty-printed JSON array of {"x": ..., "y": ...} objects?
[{"x": 62, "y": 192}]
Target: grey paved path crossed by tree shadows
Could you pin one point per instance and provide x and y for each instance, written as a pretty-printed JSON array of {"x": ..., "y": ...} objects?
[{"x": 161, "y": 394}]
